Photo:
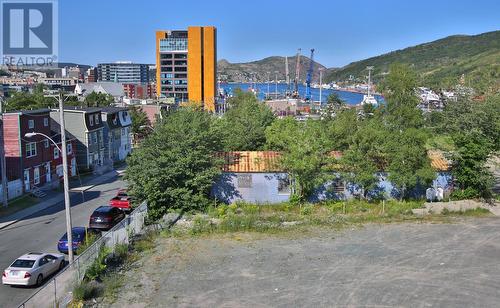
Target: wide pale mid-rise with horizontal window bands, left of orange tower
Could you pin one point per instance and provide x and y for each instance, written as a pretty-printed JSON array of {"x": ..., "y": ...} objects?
[{"x": 124, "y": 72}]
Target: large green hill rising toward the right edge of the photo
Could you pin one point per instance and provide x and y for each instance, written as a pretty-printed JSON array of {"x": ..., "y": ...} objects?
[{"x": 440, "y": 63}]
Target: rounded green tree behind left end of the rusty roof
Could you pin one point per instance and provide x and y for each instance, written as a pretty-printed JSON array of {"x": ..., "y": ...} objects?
[{"x": 244, "y": 124}]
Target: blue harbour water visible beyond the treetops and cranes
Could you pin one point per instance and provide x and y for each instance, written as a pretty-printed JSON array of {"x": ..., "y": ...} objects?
[{"x": 349, "y": 97}]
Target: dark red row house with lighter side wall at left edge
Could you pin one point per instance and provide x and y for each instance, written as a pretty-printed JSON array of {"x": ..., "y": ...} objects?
[{"x": 28, "y": 159}]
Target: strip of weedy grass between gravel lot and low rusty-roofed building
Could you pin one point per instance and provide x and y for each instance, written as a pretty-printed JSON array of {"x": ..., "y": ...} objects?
[{"x": 275, "y": 218}]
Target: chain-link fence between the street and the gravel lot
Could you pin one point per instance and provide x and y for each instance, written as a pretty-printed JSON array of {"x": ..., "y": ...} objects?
[{"x": 57, "y": 292}]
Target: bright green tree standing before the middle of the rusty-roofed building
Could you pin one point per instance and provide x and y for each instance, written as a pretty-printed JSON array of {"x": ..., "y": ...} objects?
[{"x": 304, "y": 154}]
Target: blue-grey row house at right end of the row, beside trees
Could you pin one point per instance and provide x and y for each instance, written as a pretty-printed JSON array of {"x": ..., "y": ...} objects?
[{"x": 117, "y": 130}]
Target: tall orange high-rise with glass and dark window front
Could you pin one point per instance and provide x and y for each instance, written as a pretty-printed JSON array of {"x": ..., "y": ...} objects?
[{"x": 186, "y": 65}]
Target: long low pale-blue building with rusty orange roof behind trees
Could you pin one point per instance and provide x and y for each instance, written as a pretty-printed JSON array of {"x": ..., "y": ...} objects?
[{"x": 256, "y": 177}]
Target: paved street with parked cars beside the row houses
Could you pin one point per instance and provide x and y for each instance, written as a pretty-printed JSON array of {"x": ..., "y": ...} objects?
[{"x": 41, "y": 232}]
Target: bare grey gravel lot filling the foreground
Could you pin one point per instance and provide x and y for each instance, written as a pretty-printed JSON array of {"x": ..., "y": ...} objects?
[{"x": 386, "y": 265}]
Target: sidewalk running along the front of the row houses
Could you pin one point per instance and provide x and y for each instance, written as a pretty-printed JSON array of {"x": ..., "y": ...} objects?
[{"x": 56, "y": 198}]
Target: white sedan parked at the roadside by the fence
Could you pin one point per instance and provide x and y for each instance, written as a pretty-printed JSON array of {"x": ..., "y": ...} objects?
[{"x": 32, "y": 268}]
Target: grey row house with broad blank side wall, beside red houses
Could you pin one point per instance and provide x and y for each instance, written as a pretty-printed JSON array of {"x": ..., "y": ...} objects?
[{"x": 85, "y": 124}]
